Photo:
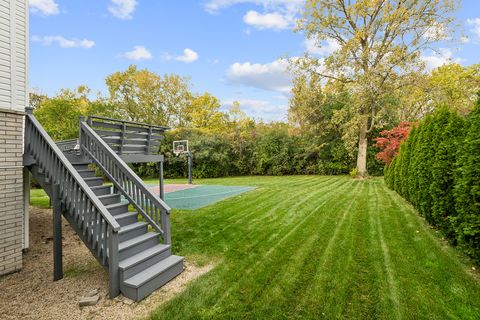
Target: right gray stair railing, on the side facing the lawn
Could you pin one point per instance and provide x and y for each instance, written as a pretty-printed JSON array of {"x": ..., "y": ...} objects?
[{"x": 154, "y": 210}]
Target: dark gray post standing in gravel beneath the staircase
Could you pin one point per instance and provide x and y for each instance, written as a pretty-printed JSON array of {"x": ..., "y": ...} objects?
[{"x": 57, "y": 233}]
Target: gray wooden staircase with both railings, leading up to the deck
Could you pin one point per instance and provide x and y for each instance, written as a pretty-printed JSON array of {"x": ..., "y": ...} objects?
[{"x": 133, "y": 246}]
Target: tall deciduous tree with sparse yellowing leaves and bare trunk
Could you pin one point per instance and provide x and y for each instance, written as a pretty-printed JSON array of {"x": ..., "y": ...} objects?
[{"x": 379, "y": 46}]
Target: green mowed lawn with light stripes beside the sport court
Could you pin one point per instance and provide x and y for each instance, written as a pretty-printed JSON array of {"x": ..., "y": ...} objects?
[{"x": 310, "y": 247}]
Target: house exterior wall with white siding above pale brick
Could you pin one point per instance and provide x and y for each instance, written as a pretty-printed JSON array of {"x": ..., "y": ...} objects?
[{"x": 13, "y": 100}]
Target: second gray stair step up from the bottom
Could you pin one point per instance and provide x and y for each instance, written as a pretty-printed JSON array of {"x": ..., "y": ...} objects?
[{"x": 143, "y": 260}]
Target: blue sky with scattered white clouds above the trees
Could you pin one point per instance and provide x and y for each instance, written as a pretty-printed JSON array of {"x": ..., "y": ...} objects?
[{"x": 230, "y": 48}]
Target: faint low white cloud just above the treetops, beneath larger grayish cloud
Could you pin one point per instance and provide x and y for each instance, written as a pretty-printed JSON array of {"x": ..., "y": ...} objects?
[{"x": 263, "y": 109}]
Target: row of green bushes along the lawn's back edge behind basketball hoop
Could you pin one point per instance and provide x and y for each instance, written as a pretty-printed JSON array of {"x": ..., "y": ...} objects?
[{"x": 271, "y": 152}]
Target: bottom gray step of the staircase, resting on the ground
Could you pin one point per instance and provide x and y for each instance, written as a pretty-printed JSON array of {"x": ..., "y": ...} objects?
[{"x": 152, "y": 278}]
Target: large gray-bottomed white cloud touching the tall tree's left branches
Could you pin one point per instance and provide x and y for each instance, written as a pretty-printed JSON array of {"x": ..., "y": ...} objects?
[{"x": 273, "y": 76}]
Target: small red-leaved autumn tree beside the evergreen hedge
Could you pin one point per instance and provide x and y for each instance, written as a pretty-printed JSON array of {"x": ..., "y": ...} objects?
[{"x": 390, "y": 140}]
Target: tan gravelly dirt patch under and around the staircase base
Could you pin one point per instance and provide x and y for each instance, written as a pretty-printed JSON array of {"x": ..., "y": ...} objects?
[{"x": 32, "y": 294}]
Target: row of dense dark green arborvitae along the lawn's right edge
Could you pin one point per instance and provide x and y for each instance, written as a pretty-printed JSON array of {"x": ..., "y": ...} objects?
[{"x": 438, "y": 170}]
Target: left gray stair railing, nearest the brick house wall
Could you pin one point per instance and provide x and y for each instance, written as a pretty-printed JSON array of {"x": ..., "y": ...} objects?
[{"x": 98, "y": 227}]
